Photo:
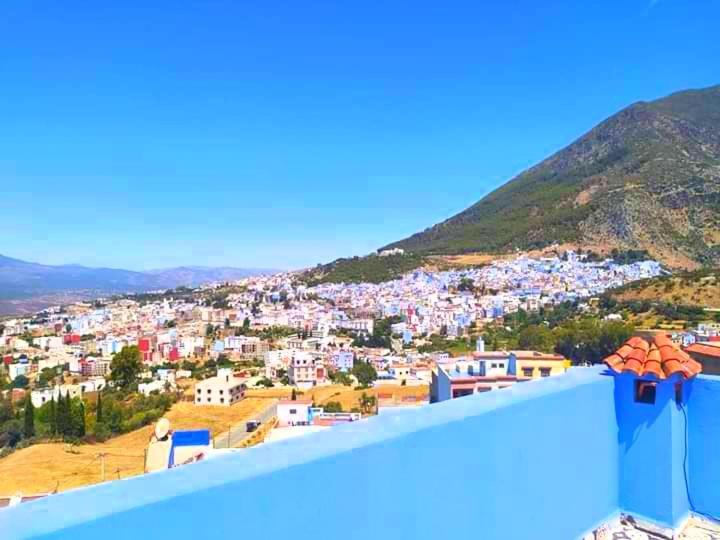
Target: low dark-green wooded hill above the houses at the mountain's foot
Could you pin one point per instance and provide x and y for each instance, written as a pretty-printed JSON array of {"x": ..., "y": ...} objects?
[{"x": 370, "y": 269}]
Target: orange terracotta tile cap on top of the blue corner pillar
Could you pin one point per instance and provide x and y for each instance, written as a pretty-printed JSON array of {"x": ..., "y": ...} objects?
[{"x": 659, "y": 359}]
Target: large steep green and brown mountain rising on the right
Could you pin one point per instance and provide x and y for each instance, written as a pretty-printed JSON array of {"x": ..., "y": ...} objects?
[{"x": 647, "y": 178}]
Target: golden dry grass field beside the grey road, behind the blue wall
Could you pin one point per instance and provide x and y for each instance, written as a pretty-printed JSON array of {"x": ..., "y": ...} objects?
[{"x": 48, "y": 467}]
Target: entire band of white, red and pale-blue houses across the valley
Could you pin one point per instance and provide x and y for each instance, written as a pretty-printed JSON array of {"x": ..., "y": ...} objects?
[{"x": 319, "y": 324}]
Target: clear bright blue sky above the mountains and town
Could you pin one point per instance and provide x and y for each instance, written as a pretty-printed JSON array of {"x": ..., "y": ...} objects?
[{"x": 143, "y": 134}]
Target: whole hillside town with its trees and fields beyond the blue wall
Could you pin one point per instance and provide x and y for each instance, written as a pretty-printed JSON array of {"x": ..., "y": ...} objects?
[{"x": 269, "y": 357}]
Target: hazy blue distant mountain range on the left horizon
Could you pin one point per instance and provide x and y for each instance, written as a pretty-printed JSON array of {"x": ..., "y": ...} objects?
[{"x": 27, "y": 286}]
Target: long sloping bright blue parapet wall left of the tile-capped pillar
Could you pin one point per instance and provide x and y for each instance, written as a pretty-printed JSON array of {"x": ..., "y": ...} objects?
[{"x": 538, "y": 460}]
